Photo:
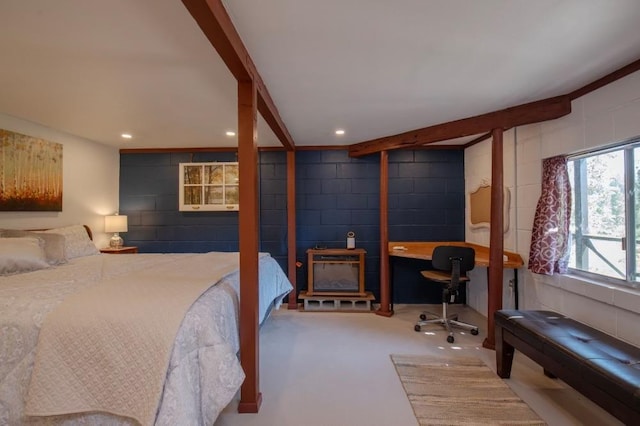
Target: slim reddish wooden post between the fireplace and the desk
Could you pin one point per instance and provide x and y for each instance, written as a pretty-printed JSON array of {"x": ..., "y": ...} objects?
[{"x": 385, "y": 302}]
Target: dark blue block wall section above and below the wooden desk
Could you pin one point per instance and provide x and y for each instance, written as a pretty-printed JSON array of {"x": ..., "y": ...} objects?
[{"x": 426, "y": 203}]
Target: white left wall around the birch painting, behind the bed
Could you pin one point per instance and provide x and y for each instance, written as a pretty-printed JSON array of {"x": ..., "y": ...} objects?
[{"x": 90, "y": 173}]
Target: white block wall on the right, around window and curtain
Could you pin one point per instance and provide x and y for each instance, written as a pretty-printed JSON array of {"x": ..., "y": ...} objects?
[{"x": 610, "y": 114}]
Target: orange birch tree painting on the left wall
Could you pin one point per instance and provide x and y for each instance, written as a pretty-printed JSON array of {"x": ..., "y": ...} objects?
[{"x": 30, "y": 173}]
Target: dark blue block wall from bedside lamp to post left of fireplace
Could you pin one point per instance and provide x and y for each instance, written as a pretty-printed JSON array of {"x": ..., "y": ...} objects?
[{"x": 149, "y": 196}]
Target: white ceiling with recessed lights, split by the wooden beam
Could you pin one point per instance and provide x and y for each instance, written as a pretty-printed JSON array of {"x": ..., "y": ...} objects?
[{"x": 375, "y": 68}]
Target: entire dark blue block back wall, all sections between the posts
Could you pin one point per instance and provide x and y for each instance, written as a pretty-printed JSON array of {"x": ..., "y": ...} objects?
[{"x": 335, "y": 194}]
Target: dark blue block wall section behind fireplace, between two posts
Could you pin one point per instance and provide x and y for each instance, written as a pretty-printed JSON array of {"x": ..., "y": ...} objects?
[{"x": 336, "y": 194}]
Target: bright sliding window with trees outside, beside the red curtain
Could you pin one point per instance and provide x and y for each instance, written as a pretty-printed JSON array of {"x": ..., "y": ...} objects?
[{"x": 605, "y": 214}]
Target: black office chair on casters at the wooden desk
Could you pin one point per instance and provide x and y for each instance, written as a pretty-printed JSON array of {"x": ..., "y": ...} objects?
[{"x": 450, "y": 264}]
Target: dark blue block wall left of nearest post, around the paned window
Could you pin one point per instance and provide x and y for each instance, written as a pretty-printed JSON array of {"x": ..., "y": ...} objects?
[{"x": 149, "y": 197}]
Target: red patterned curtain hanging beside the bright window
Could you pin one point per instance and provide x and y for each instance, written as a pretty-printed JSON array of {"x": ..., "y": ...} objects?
[{"x": 549, "y": 251}]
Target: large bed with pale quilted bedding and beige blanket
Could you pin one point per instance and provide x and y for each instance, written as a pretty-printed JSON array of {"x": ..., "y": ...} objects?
[{"x": 201, "y": 372}]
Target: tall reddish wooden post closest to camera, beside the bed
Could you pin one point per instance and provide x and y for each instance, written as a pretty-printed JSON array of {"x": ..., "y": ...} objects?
[{"x": 248, "y": 215}]
